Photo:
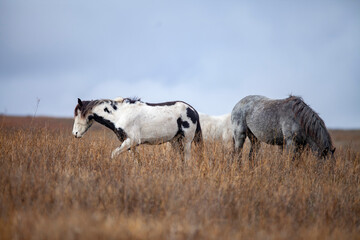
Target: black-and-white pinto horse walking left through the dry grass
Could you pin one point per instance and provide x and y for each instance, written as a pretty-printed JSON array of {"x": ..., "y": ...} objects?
[{"x": 136, "y": 122}]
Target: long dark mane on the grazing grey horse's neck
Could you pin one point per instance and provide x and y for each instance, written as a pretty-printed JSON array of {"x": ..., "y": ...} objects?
[{"x": 310, "y": 121}]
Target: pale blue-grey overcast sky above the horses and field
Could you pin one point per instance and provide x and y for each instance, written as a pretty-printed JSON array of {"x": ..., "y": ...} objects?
[{"x": 207, "y": 53}]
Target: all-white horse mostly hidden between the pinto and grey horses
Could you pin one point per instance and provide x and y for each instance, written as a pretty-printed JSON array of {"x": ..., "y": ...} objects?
[{"x": 216, "y": 127}]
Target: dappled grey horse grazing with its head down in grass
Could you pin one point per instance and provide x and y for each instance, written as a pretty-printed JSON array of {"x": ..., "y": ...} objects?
[{"x": 288, "y": 122}]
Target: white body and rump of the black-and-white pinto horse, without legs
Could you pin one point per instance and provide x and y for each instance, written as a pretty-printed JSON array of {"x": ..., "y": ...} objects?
[{"x": 151, "y": 122}]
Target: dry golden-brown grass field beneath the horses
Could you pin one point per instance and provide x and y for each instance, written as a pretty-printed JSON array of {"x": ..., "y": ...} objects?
[{"x": 53, "y": 186}]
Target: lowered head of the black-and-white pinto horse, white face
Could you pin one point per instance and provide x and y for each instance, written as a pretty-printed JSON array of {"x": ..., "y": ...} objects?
[{"x": 82, "y": 119}]
